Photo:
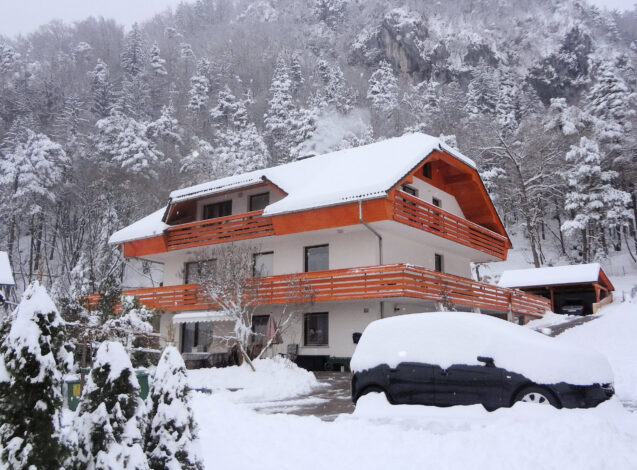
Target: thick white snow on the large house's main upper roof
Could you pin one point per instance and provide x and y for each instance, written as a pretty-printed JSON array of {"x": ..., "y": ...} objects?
[{"x": 365, "y": 172}]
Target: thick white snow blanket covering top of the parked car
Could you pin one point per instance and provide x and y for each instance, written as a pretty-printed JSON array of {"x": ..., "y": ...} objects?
[{"x": 447, "y": 338}]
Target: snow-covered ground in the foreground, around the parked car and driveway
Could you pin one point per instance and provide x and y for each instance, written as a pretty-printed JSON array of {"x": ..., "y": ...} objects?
[{"x": 380, "y": 436}]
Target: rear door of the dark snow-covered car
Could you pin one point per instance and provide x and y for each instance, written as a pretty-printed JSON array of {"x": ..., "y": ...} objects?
[{"x": 412, "y": 383}]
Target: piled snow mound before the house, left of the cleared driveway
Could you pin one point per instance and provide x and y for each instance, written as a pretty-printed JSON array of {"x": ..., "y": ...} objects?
[{"x": 274, "y": 379}]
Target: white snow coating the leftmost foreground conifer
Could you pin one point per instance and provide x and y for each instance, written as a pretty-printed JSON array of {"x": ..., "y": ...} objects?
[{"x": 25, "y": 332}]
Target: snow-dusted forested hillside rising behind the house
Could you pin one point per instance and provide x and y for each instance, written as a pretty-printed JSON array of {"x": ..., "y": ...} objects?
[{"x": 98, "y": 123}]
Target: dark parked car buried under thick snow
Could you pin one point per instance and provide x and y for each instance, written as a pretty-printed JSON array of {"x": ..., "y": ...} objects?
[{"x": 448, "y": 358}]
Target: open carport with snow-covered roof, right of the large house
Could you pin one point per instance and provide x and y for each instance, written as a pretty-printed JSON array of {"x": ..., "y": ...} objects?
[{"x": 583, "y": 284}]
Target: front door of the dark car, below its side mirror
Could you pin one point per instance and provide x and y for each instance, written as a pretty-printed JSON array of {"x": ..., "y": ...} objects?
[{"x": 463, "y": 384}]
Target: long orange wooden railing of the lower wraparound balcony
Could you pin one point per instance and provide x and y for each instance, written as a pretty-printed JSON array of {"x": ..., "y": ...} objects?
[{"x": 373, "y": 282}]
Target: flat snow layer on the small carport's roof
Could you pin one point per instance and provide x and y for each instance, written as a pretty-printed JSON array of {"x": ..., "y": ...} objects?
[{"x": 575, "y": 274}]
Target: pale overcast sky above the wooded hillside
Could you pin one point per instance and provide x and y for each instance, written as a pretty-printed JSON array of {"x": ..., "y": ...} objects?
[{"x": 23, "y": 16}]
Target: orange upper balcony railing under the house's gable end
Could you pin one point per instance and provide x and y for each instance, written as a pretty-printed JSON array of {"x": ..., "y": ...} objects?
[{"x": 417, "y": 213}]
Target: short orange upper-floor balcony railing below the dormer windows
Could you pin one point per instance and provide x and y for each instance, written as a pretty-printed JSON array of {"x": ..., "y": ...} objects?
[{"x": 219, "y": 230}]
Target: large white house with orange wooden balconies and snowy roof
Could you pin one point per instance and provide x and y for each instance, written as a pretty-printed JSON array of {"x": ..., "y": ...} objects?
[{"x": 378, "y": 230}]
